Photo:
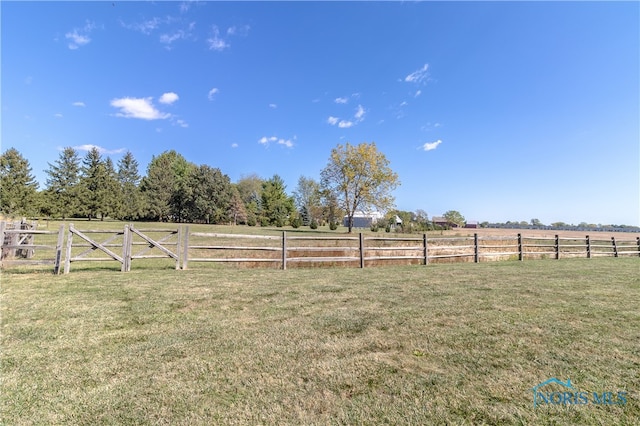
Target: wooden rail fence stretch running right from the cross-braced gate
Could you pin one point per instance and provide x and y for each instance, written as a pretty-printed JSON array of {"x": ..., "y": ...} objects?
[{"x": 287, "y": 250}]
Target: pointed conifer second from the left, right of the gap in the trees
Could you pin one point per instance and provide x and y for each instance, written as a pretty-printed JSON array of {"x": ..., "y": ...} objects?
[{"x": 62, "y": 193}]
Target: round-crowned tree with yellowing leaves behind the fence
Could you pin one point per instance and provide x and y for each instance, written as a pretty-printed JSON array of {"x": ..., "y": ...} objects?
[{"x": 360, "y": 178}]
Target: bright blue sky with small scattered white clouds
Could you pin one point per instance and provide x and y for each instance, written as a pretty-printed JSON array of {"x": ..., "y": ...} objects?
[{"x": 500, "y": 110}]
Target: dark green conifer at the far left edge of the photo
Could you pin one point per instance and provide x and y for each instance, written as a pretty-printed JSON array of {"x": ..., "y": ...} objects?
[{"x": 18, "y": 187}]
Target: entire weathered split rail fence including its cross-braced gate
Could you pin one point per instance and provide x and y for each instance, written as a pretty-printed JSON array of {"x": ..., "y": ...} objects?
[{"x": 184, "y": 248}]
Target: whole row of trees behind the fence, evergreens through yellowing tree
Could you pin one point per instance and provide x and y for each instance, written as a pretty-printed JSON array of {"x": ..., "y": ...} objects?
[{"x": 176, "y": 190}]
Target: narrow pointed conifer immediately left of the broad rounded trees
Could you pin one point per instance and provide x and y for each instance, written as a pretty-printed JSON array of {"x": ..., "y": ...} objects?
[{"x": 132, "y": 205}]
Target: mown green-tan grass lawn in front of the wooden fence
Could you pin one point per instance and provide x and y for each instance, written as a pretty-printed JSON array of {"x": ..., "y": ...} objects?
[{"x": 441, "y": 344}]
